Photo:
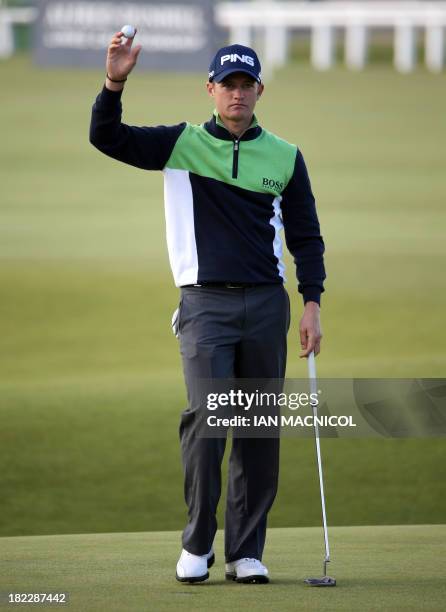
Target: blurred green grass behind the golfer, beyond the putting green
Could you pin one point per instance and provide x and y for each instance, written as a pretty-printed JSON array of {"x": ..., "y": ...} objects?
[{"x": 91, "y": 386}]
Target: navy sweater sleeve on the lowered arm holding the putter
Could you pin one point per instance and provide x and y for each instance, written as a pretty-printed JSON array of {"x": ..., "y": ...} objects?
[{"x": 302, "y": 232}]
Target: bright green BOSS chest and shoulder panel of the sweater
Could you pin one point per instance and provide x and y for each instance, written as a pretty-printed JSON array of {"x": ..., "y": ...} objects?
[{"x": 266, "y": 163}]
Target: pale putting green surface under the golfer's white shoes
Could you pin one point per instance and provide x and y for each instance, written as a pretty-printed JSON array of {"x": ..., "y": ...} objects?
[{"x": 386, "y": 568}]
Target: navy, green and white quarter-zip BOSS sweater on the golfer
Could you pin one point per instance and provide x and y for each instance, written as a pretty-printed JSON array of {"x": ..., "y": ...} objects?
[{"x": 226, "y": 199}]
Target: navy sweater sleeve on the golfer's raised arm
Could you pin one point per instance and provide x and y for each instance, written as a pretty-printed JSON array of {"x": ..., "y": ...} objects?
[{"x": 148, "y": 148}]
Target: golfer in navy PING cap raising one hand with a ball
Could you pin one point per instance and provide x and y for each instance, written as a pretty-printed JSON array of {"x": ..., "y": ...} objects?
[{"x": 230, "y": 188}]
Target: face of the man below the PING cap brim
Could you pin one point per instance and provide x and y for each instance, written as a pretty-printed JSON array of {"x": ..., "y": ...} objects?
[{"x": 236, "y": 96}]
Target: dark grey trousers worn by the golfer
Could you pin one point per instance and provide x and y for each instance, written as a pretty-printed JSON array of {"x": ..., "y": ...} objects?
[{"x": 230, "y": 333}]
